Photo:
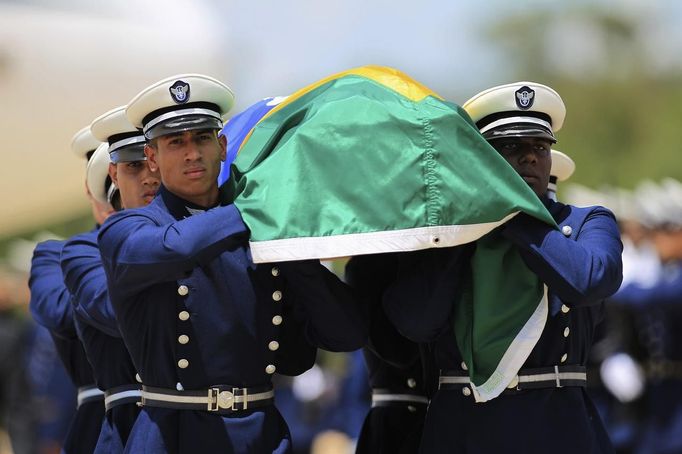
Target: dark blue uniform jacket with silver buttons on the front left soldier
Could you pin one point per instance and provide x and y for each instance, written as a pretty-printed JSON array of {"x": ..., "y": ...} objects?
[{"x": 195, "y": 311}]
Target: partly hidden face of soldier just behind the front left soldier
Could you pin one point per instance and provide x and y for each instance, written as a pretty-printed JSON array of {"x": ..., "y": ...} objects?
[{"x": 136, "y": 182}]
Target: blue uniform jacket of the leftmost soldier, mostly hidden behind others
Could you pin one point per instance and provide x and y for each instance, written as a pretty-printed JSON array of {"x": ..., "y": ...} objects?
[{"x": 50, "y": 306}]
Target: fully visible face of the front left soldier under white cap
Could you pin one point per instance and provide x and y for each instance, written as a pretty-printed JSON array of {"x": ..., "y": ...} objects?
[{"x": 189, "y": 163}]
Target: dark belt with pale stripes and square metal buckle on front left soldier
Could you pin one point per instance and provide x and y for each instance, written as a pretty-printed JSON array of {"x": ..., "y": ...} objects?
[{"x": 221, "y": 399}]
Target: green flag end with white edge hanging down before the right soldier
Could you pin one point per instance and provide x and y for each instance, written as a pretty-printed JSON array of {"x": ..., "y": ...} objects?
[{"x": 502, "y": 300}]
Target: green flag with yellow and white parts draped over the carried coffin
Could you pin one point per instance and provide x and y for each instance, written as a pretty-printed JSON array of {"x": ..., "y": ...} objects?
[{"x": 369, "y": 161}]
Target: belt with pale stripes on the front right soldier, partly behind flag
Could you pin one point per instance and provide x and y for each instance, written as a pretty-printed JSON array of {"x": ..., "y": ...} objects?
[{"x": 532, "y": 378}]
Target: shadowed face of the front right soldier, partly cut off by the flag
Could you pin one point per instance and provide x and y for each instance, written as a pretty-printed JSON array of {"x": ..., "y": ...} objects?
[{"x": 530, "y": 157}]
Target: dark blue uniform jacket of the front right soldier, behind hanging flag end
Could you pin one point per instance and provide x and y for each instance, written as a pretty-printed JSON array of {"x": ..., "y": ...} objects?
[{"x": 581, "y": 265}]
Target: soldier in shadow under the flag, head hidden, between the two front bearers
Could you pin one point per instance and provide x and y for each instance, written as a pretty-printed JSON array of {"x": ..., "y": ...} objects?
[{"x": 395, "y": 365}]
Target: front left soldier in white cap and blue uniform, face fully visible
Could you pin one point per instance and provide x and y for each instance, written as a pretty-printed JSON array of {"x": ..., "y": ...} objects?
[{"x": 200, "y": 320}]
